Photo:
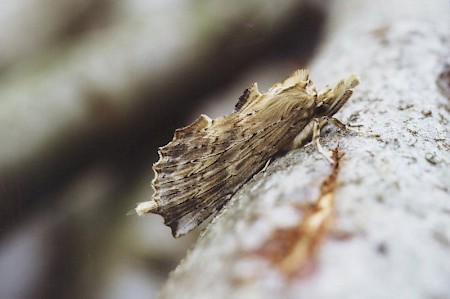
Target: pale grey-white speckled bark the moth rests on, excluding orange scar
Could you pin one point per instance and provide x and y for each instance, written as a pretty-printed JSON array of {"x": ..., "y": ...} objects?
[{"x": 390, "y": 236}]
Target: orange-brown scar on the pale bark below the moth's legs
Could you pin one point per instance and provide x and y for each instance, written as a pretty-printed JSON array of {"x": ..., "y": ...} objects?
[{"x": 292, "y": 250}]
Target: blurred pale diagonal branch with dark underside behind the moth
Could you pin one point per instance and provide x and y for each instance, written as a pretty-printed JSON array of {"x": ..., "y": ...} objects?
[{"x": 119, "y": 91}]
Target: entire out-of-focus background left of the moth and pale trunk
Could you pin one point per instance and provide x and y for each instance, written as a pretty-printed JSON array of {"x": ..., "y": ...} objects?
[{"x": 88, "y": 91}]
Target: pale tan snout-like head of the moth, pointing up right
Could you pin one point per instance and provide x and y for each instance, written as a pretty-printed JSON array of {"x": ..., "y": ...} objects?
[{"x": 330, "y": 100}]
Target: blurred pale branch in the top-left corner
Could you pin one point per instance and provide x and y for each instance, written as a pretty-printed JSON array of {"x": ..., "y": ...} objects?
[{"x": 30, "y": 28}]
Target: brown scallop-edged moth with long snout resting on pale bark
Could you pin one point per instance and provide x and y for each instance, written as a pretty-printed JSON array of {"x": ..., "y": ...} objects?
[{"x": 209, "y": 160}]
